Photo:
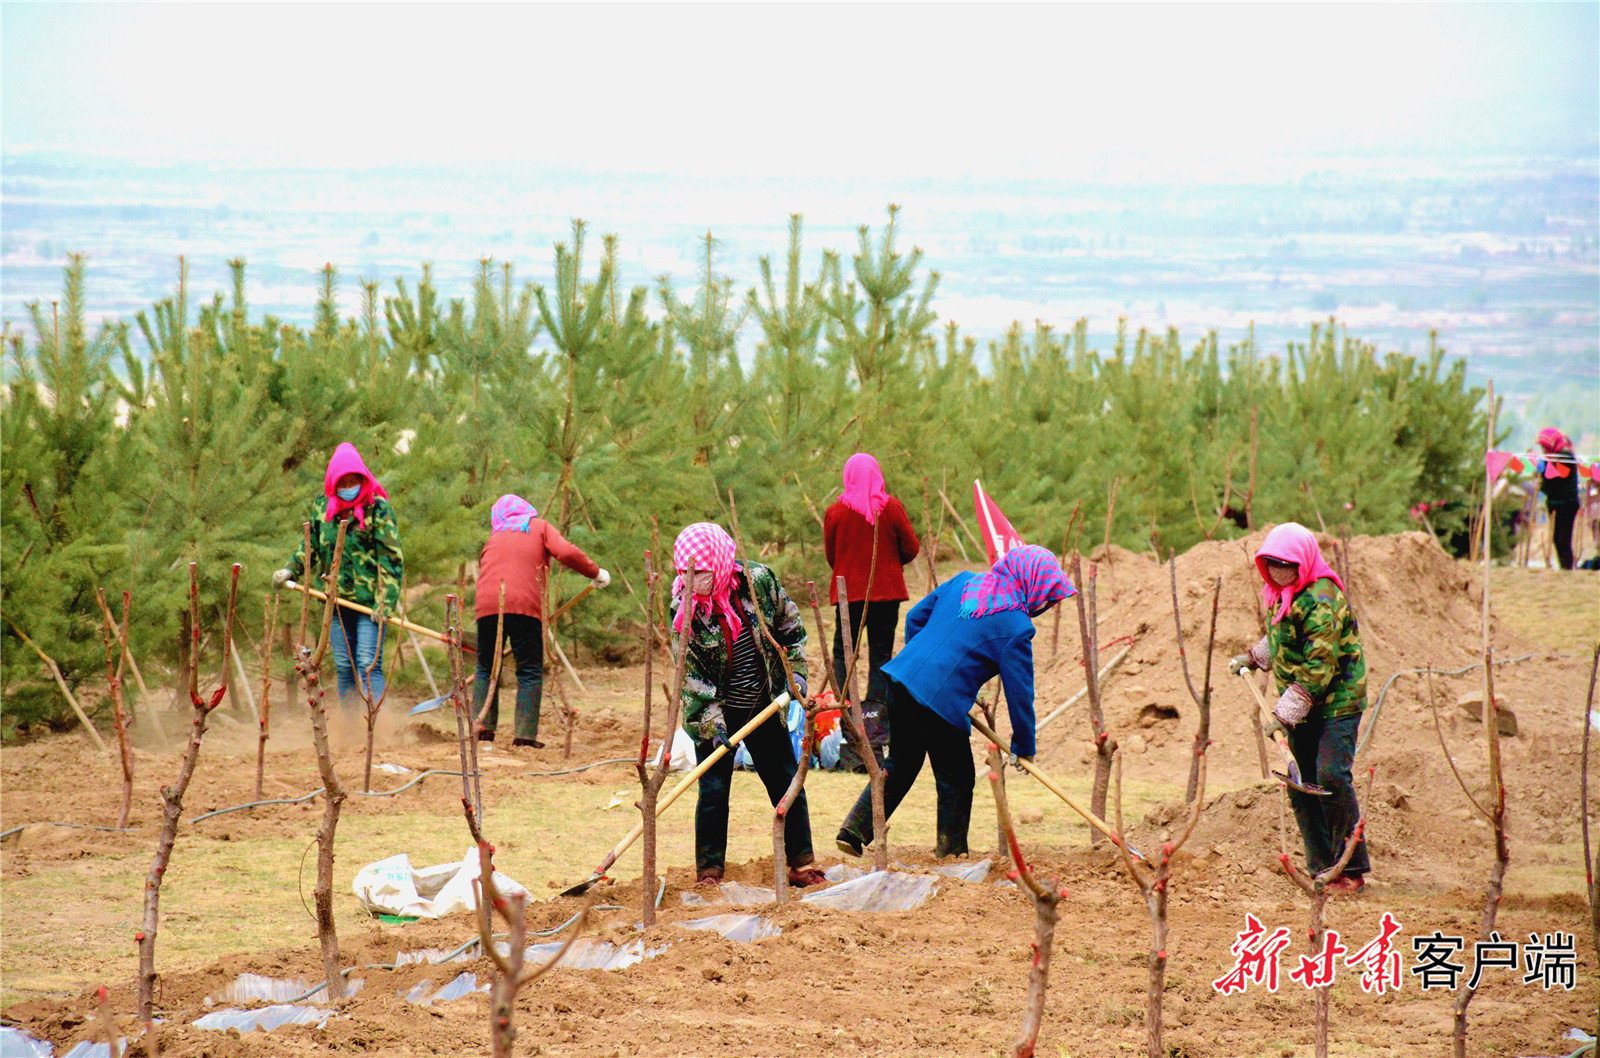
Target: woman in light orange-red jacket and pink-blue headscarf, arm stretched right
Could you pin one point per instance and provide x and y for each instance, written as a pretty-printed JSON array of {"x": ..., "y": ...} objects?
[{"x": 516, "y": 555}]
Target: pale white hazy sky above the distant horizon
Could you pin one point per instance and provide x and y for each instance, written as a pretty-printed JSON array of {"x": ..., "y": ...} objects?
[{"x": 751, "y": 90}]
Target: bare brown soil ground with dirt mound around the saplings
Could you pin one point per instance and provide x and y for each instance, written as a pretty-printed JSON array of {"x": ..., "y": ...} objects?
[{"x": 945, "y": 979}]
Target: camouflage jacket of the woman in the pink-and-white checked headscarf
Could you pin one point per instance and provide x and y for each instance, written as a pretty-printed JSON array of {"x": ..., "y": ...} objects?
[{"x": 706, "y": 670}]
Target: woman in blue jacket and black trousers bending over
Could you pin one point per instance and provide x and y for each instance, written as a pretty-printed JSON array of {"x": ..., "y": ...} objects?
[{"x": 958, "y": 639}]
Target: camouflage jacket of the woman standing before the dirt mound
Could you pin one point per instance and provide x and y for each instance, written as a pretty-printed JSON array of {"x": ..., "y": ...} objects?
[{"x": 1318, "y": 646}]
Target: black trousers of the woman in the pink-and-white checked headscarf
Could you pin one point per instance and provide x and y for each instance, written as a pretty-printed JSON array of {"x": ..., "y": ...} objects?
[{"x": 775, "y": 761}]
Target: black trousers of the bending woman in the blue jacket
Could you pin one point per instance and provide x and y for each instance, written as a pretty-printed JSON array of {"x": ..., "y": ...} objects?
[{"x": 916, "y": 734}]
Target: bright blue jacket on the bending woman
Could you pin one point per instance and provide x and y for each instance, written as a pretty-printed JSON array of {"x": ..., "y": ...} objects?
[{"x": 948, "y": 659}]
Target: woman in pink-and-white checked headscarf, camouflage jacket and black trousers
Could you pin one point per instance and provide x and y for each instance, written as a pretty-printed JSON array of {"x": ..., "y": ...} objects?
[{"x": 730, "y": 675}]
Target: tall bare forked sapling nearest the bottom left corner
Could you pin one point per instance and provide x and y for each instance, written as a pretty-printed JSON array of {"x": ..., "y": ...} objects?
[{"x": 174, "y": 796}]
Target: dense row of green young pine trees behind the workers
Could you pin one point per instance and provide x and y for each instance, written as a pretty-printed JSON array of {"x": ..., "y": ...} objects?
[{"x": 199, "y": 431}]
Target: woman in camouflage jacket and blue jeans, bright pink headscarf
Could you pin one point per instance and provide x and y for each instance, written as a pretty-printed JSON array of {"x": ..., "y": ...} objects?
[{"x": 372, "y": 567}]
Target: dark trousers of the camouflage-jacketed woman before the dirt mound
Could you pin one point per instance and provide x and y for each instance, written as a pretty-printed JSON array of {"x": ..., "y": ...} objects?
[{"x": 1324, "y": 751}]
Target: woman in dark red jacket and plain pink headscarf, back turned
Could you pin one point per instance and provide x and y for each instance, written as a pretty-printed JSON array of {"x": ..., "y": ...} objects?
[{"x": 863, "y": 518}]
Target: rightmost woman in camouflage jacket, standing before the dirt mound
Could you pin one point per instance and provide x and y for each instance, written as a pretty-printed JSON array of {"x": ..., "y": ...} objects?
[{"x": 1314, "y": 651}]
